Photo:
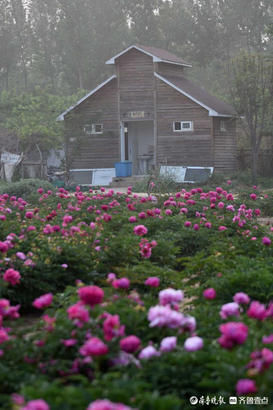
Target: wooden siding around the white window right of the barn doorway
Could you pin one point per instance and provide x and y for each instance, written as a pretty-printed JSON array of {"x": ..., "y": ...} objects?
[{"x": 182, "y": 148}]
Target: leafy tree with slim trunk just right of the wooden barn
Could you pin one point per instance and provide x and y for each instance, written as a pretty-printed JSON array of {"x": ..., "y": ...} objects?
[{"x": 252, "y": 92}]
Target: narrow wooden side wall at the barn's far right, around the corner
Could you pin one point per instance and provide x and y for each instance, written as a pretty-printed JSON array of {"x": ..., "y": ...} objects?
[{"x": 225, "y": 146}]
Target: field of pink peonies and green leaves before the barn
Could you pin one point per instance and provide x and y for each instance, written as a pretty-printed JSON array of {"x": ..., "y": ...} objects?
[{"x": 117, "y": 301}]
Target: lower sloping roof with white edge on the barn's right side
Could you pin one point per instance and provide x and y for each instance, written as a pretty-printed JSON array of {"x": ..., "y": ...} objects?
[{"x": 216, "y": 108}]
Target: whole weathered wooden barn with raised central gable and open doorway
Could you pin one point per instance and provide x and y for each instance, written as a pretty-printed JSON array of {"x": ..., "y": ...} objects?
[{"x": 149, "y": 113}]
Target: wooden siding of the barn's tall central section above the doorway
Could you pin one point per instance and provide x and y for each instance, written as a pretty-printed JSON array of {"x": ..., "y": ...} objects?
[{"x": 136, "y": 83}]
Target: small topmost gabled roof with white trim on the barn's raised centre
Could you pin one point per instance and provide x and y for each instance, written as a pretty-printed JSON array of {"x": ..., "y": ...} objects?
[{"x": 158, "y": 55}]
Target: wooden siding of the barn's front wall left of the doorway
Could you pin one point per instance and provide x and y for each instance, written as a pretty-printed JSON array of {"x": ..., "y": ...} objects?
[{"x": 96, "y": 150}]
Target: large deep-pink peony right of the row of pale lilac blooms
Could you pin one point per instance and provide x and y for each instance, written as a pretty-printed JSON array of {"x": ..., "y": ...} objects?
[{"x": 232, "y": 333}]
